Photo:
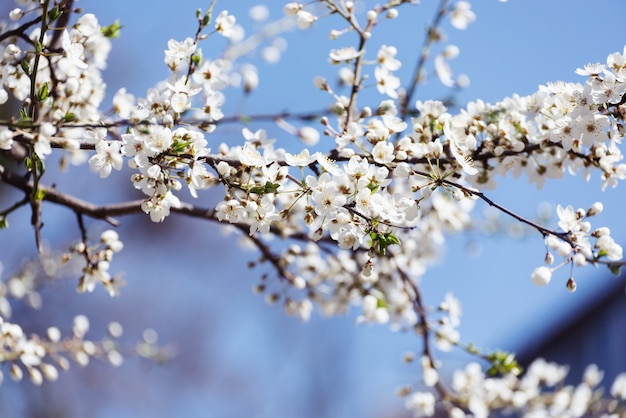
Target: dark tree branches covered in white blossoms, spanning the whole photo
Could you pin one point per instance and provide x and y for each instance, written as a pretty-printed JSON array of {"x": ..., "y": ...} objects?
[{"x": 356, "y": 224}]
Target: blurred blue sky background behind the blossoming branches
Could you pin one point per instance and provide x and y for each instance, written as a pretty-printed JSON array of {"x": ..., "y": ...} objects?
[{"x": 189, "y": 281}]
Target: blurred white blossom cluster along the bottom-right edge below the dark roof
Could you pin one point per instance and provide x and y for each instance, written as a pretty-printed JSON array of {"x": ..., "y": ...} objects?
[{"x": 540, "y": 392}]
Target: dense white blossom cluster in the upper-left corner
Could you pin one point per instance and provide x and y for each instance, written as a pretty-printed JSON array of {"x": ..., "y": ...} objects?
[{"x": 69, "y": 84}]
